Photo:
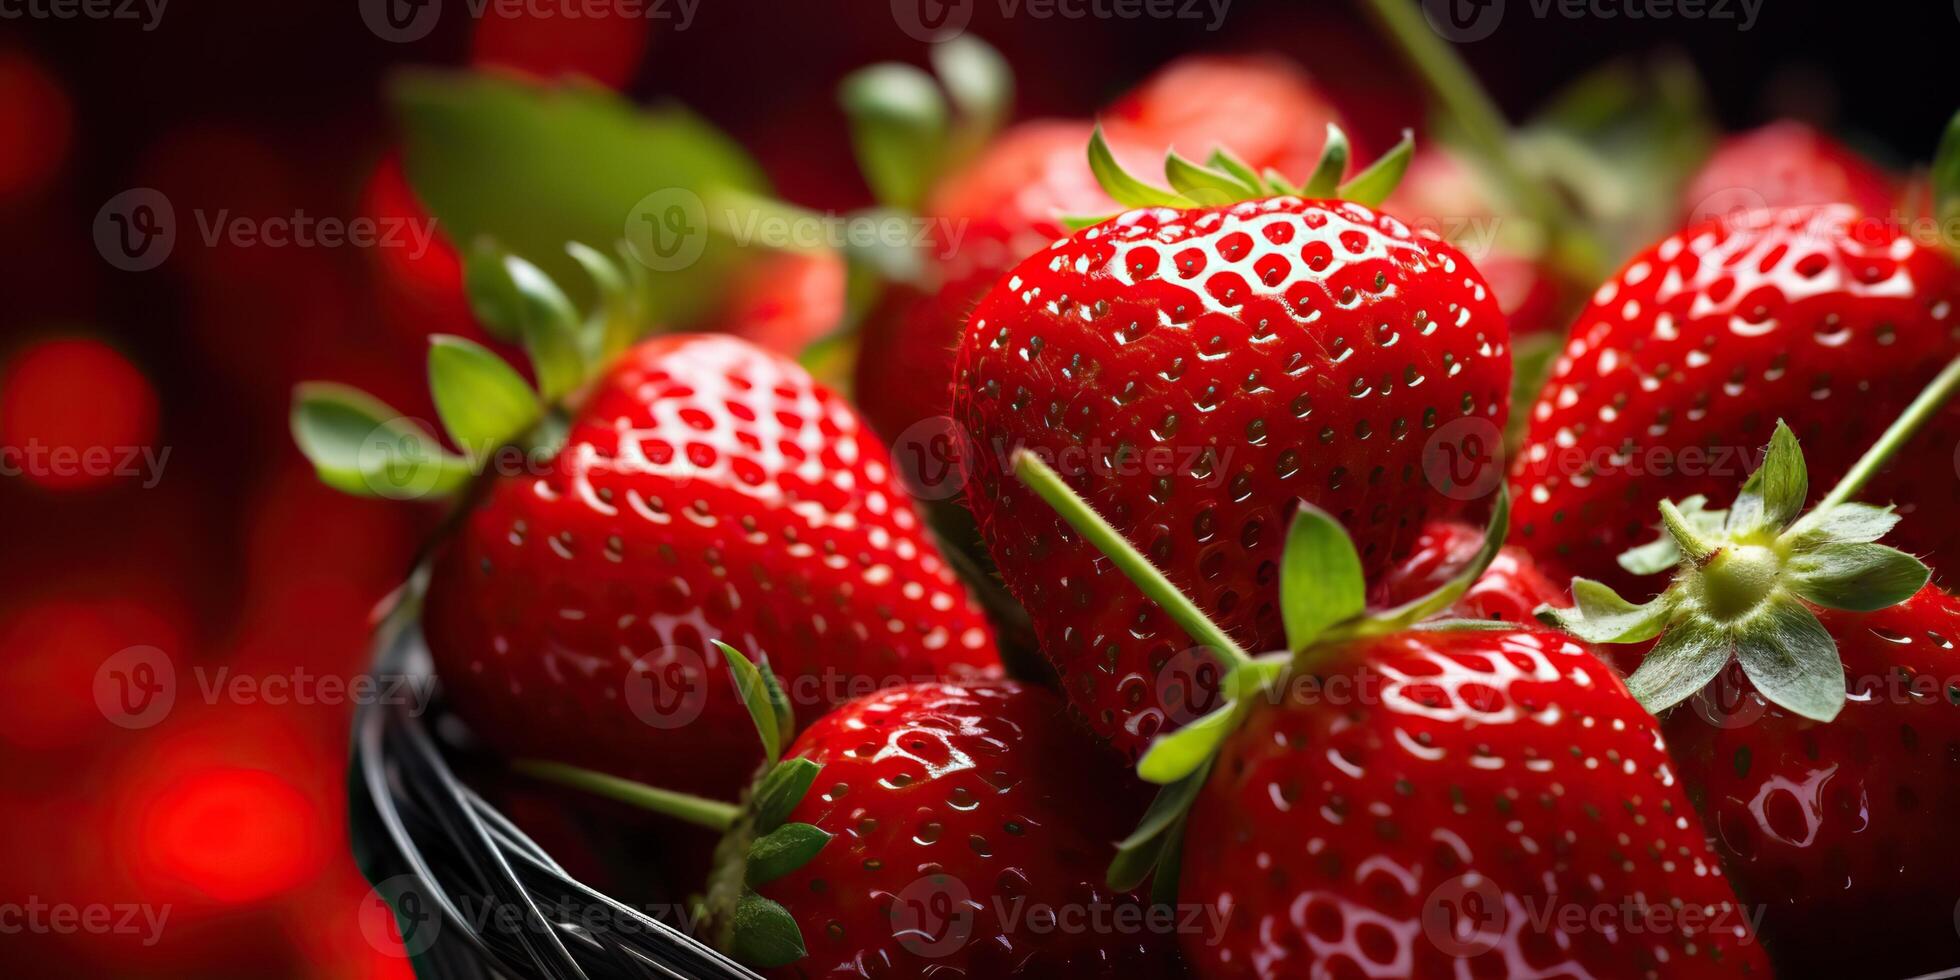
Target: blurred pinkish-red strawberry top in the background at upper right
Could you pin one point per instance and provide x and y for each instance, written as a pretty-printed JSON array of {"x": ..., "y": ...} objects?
[{"x": 1783, "y": 166}]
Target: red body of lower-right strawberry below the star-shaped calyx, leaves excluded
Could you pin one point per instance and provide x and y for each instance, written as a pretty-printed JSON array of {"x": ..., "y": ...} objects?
[{"x": 1845, "y": 828}]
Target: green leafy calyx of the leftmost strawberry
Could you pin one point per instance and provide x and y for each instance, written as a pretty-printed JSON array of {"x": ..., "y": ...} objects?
[{"x": 366, "y": 448}]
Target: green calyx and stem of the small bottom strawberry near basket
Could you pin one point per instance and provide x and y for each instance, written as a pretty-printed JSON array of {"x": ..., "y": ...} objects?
[{"x": 759, "y": 844}]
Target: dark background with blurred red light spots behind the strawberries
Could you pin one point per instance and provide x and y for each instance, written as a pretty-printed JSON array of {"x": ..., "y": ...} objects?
[{"x": 232, "y": 814}]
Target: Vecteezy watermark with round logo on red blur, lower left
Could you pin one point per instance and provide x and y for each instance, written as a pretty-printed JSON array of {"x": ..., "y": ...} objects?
[{"x": 138, "y": 687}]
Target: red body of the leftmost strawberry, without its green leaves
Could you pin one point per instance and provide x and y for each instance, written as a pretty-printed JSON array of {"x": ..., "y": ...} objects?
[{"x": 707, "y": 491}]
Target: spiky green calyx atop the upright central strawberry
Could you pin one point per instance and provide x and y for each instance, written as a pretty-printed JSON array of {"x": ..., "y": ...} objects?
[{"x": 1224, "y": 179}]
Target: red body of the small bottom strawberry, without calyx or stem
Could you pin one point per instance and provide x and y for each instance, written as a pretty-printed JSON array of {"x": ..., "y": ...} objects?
[{"x": 955, "y": 812}]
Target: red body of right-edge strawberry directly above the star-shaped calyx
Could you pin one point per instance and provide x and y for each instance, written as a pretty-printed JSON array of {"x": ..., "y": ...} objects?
[{"x": 1690, "y": 356}]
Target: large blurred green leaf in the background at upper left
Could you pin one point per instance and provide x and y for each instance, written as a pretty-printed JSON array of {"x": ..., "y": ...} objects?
[{"x": 536, "y": 166}]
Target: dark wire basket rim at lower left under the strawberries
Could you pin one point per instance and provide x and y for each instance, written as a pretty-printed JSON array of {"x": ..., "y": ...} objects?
[{"x": 471, "y": 895}]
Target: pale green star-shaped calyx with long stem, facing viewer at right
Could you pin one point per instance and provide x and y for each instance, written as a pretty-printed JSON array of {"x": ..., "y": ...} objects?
[{"x": 1749, "y": 577}]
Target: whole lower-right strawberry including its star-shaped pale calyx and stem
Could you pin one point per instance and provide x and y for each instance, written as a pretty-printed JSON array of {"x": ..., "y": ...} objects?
[{"x": 1824, "y": 759}]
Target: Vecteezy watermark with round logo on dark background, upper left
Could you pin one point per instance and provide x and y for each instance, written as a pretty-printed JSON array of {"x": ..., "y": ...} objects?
[{"x": 138, "y": 230}]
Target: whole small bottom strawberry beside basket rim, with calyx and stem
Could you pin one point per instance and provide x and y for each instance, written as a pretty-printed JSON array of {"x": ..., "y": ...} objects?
[{"x": 928, "y": 830}]
